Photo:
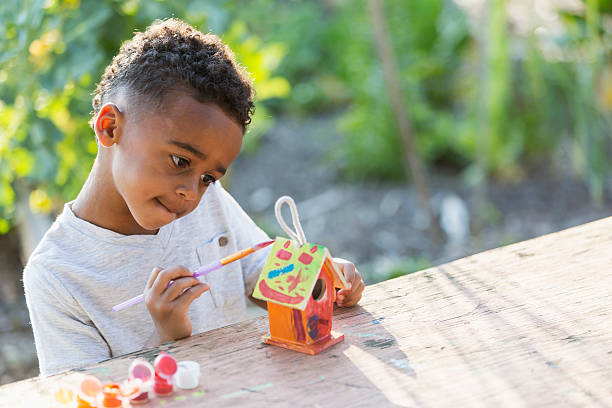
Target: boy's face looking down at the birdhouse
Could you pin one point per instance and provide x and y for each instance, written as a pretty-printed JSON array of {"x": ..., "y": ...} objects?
[{"x": 163, "y": 161}]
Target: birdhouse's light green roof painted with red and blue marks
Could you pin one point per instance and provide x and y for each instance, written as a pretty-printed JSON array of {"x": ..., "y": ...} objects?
[{"x": 290, "y": 273}]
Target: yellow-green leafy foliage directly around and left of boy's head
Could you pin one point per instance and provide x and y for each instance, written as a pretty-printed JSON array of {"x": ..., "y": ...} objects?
[{"x": 53, "y": 53}]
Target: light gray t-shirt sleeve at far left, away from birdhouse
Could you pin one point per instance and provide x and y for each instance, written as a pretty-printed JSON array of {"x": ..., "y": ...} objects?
[{"x": 64, "y": 337}]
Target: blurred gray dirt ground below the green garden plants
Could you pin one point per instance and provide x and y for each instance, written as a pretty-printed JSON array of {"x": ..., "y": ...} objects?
[{"x": 378, "y": 226}]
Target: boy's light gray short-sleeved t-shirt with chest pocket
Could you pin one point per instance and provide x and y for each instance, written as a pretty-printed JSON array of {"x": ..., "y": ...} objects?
[{"x": 80, "y": 271}]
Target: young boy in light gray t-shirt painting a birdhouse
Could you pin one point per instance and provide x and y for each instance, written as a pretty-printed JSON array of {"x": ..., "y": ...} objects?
[{"x": 169, "y": 116}]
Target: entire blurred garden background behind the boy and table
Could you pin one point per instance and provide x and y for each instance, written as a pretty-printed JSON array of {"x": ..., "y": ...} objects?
[{"x": 410, "y": 133}]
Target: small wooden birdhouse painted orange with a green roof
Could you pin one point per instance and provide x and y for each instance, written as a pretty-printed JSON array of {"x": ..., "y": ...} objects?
[{"x": 299, "y": 285}]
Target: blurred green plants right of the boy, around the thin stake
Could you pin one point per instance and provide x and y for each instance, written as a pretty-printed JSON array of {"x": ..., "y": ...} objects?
[{"x": 483, "y": 97}]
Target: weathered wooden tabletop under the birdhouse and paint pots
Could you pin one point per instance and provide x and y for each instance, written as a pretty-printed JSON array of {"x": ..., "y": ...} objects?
[{"x": 524, "y": 325}]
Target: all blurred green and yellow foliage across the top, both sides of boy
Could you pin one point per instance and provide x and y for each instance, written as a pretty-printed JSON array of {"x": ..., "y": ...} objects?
[{"x": 483, "y": 98}]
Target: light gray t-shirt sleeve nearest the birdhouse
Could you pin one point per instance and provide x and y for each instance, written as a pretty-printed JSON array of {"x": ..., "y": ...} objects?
[{"x": 247, "y": 234}]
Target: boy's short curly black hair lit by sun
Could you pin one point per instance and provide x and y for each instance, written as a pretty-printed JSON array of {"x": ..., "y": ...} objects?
[{"x": 172, "y": 56}]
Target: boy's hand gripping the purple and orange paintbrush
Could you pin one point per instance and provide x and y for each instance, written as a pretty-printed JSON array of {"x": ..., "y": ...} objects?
[{"x": 168, "y": 305}]
